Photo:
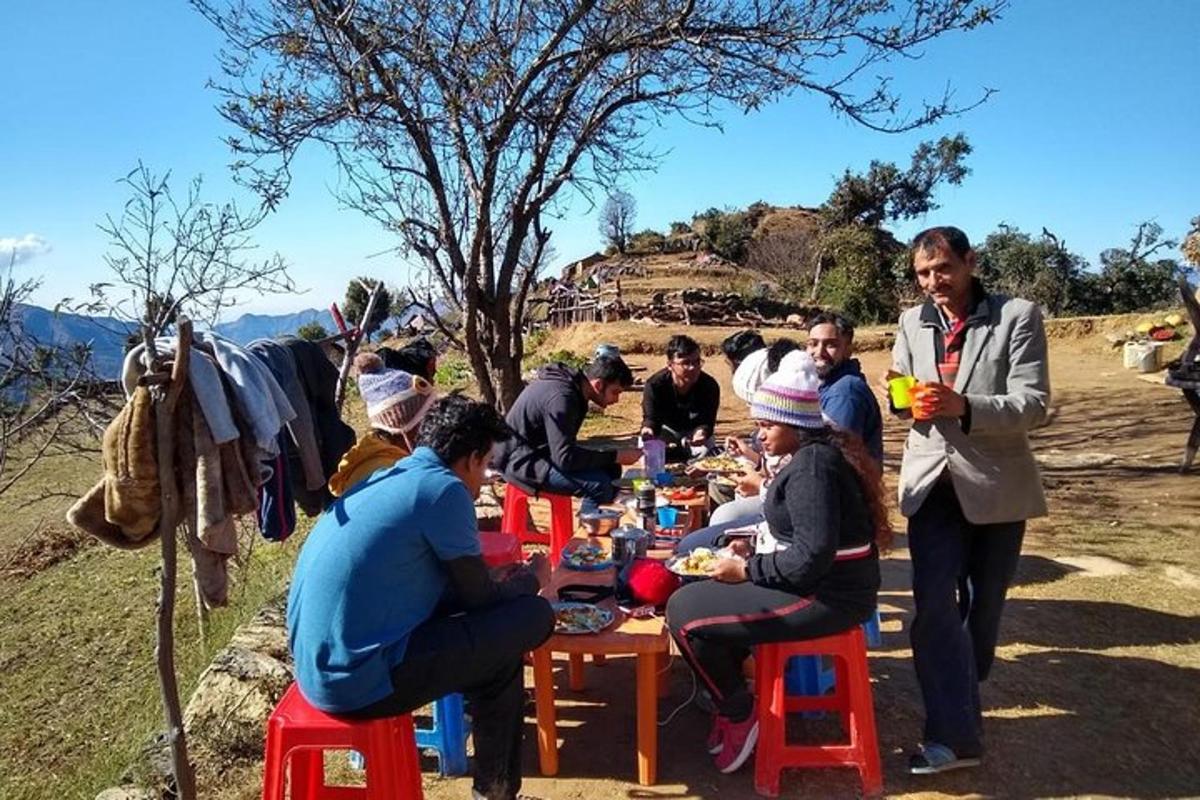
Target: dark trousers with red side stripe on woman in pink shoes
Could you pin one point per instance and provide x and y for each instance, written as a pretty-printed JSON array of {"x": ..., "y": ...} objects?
[{"x": 716, "y": 625}]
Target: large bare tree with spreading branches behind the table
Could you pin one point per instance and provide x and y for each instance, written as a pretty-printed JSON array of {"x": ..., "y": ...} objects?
[{"x": 459, "y": 125}]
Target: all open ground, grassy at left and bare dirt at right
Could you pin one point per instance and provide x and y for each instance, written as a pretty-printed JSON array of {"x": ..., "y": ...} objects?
[{"x": 1095, "y": 695}]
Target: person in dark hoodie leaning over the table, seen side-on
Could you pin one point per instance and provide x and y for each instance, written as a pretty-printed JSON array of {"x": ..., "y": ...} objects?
[{"x": 544, "y": 453}]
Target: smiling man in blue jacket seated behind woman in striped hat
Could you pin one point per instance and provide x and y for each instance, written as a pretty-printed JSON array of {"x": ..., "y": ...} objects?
[{"x": 847, "y": 399}]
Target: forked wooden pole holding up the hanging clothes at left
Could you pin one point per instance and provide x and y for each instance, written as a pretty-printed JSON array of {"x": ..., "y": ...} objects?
[{"x": 166, "y": 398}]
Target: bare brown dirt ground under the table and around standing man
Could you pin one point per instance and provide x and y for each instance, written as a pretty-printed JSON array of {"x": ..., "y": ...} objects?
[{"x": 1097, "y": 688}]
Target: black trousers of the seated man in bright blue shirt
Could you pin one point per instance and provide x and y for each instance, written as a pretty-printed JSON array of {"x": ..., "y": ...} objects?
[{"x": 479, "y": 654}]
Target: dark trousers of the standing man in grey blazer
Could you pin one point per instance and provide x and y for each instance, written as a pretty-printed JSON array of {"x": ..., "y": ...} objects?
[{"x": 961, "y": 578}]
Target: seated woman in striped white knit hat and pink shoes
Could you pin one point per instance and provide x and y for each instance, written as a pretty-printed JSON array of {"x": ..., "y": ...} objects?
[{"x": 817, "y": 569}]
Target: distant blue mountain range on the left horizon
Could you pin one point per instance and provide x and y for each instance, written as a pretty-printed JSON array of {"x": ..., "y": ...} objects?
[{"x": 107, "y": 335}]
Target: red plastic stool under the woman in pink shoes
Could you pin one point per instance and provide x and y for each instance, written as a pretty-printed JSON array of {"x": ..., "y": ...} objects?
[{"x": 851, "y": 699}]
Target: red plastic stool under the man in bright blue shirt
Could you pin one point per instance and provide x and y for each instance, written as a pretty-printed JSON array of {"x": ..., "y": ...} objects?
[{"x": 299, "y": 733}]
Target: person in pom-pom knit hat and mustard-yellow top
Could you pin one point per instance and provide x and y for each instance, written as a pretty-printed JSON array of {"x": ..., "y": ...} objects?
[{"x": 397, "y": 404}]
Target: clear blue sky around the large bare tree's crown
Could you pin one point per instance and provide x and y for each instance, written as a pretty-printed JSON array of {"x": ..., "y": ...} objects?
[{"x": 1094, "y": 129}]
